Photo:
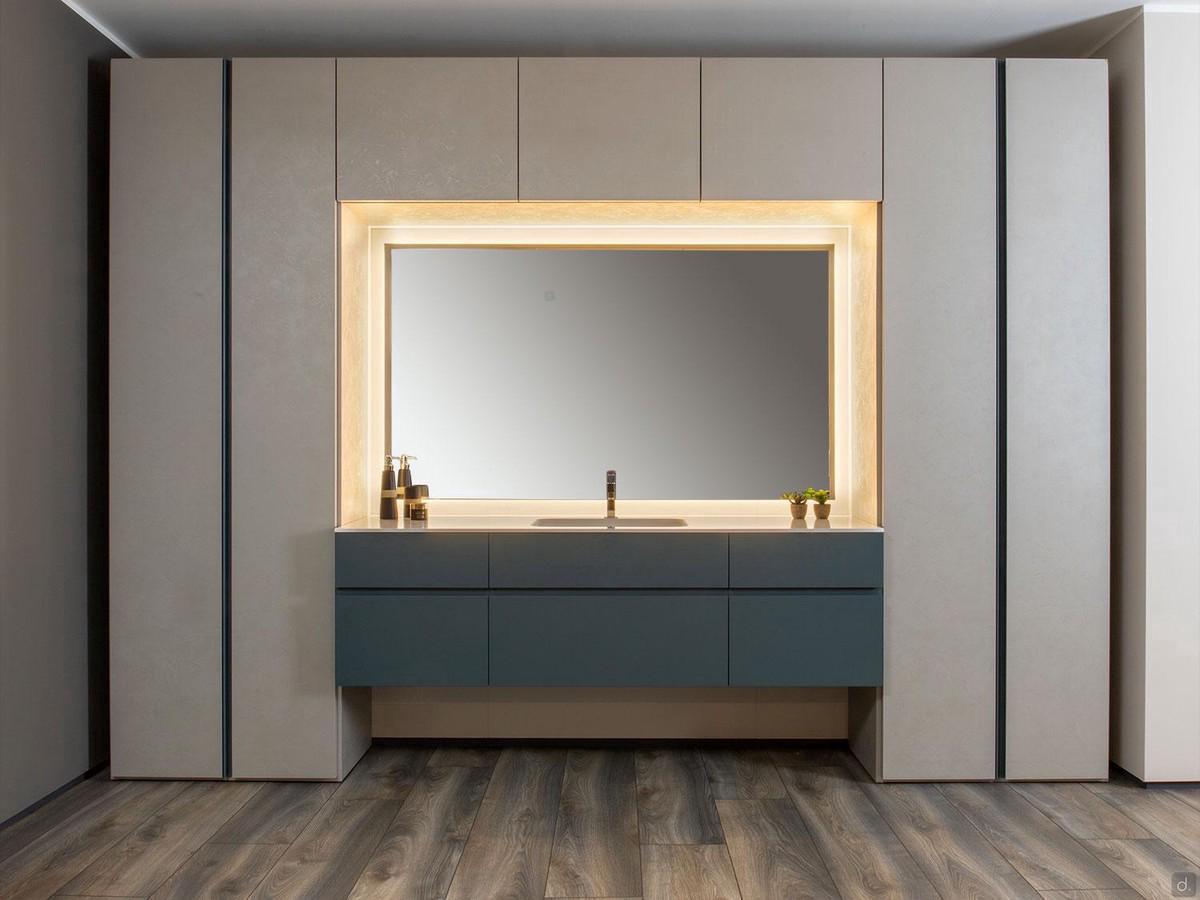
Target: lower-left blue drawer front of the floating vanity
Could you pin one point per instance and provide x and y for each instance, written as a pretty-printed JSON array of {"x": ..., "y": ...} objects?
[{"x": 412, "y": 638}]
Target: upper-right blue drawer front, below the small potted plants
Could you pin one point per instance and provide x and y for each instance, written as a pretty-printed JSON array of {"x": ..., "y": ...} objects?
[{"x": 807, "y": 561}]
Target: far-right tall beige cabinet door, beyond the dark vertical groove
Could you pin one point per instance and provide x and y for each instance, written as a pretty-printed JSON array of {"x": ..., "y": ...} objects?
[{"x": 1058, "y": 423}]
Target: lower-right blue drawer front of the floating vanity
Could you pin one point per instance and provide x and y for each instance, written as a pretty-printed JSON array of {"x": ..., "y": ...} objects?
[{"x": 806, "y": 639}]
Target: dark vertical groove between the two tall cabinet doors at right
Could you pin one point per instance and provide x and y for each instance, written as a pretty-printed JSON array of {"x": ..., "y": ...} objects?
[{"x": 1001, "y": 421}]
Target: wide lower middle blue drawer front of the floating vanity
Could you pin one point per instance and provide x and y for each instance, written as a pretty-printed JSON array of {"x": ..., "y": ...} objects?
[{"x": 610, "y": 639}]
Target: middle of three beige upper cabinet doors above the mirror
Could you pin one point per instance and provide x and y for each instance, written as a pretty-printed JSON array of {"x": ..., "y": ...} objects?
[{"x": 610, "y": 129}]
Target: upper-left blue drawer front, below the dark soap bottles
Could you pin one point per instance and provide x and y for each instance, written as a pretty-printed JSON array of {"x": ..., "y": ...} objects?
[{"x": 386, "y": 560}]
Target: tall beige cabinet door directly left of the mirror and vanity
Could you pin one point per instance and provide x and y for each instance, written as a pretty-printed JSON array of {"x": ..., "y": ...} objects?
[{"x": 284, "y": 326}]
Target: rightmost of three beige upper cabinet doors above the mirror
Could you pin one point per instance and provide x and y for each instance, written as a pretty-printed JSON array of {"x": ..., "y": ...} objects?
[{"x": 793, "y": 129}]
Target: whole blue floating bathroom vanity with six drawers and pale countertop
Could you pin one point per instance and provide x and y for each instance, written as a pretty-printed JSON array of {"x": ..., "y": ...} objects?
[{"x": 739, "y": 602}]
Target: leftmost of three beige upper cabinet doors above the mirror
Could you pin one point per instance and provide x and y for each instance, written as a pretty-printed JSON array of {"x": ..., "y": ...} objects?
[{"x": 427, "y": 129}]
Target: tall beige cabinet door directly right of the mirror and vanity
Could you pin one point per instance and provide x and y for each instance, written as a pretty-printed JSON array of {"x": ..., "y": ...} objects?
[{"x": 939, "y": 439}]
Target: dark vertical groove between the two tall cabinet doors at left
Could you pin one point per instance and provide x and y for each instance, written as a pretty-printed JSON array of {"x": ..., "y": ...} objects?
[{"x": 226, "y": 434}]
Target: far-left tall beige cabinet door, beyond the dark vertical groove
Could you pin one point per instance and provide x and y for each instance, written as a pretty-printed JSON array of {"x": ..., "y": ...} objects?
[{"x": 165, "y": 418}]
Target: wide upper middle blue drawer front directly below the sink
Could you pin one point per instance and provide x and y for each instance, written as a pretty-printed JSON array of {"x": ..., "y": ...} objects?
[{"x": 610, "y": 561}]
